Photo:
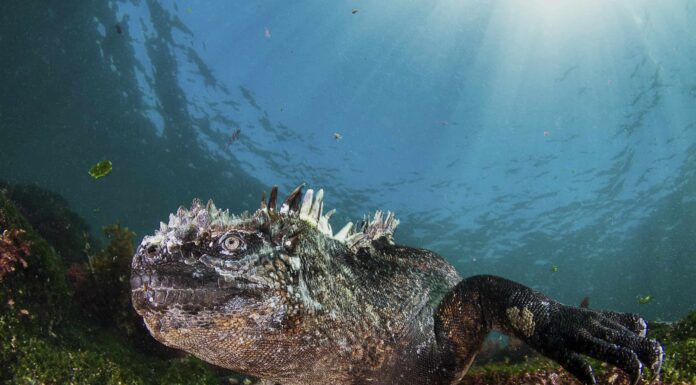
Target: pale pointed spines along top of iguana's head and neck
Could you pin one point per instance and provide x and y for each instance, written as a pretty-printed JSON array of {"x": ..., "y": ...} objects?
[{"x": 308, "y": 207}]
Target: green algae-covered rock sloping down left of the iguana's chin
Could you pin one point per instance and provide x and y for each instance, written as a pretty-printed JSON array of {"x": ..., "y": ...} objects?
[{"x": 47, "y": 338}]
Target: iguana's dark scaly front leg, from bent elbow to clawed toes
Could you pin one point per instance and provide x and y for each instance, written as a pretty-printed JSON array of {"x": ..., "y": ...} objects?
[{"x": 481, "y": 303}]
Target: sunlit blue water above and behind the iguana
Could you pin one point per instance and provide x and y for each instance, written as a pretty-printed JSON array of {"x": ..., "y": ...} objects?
[{"x": 511, "y": 137}]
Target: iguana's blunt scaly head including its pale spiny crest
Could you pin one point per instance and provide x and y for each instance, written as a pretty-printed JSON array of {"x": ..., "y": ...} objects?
[{"x": 208, "y": 281}]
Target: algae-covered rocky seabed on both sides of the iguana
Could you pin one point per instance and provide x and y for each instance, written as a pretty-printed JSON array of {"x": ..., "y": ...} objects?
[{"x": 68, "y": 319}]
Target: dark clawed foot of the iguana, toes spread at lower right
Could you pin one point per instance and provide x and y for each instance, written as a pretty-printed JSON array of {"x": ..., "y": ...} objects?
[{"x": 616, "y": 338}]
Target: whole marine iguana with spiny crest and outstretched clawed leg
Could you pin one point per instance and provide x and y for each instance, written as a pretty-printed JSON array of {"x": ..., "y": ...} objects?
[{"x": 277, "y": 295}]
